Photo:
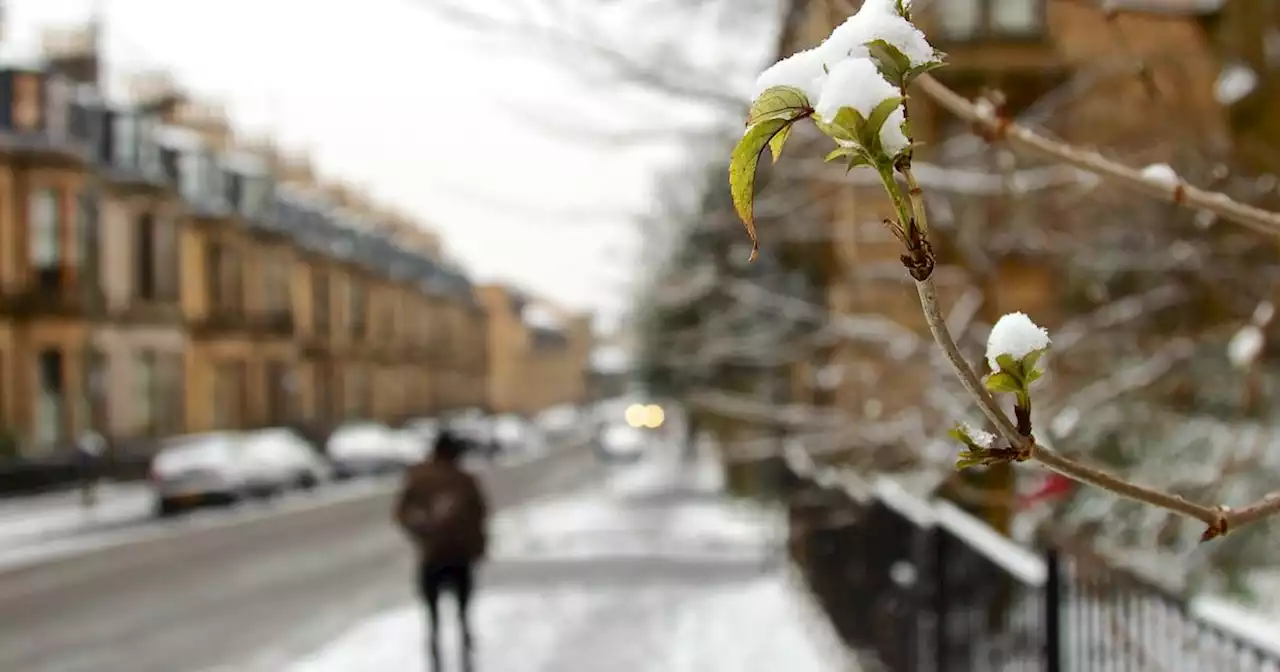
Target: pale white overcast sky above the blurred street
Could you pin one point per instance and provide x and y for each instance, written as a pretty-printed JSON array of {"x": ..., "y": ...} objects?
[{"x": 424, "y": 115}]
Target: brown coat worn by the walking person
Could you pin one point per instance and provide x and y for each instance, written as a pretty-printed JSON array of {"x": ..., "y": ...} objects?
[{"x": 445, "y": 513}]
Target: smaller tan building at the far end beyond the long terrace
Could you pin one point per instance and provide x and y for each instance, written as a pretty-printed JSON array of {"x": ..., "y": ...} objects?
[{"x": 538, "y": 353}]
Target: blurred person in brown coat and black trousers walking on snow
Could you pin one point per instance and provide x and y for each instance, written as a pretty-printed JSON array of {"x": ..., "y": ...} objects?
[{"x": 445, "y": 513}]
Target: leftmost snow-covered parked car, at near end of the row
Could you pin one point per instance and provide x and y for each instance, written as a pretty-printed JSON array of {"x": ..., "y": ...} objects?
[{"x": 198, "y": 470}]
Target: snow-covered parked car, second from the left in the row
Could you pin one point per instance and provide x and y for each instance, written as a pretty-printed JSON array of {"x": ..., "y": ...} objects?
[{"x": 278, "y": 460}]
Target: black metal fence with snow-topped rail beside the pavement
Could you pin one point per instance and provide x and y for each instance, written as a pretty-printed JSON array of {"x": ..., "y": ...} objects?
[{"x": 922, "y": 587}]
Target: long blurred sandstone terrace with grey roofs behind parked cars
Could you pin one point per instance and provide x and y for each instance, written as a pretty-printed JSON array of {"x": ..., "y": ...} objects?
[{"x": 161, "y": 275}]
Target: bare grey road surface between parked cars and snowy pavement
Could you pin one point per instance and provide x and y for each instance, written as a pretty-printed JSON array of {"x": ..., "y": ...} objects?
[{"x": 208, "y": 598}]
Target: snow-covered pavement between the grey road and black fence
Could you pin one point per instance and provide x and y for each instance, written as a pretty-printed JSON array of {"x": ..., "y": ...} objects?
[{"x": 650, "y": 572}]
